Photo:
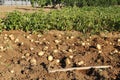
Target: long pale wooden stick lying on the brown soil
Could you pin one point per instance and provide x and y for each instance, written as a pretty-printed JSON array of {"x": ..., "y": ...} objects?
[{"x": 77, "y": 68}]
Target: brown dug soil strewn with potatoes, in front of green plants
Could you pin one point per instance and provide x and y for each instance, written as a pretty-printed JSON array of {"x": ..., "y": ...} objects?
[{"x": 26, "y": 56}]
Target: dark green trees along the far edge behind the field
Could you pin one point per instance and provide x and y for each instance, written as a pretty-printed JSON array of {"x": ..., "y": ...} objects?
[{"x": 78, "y": 3}]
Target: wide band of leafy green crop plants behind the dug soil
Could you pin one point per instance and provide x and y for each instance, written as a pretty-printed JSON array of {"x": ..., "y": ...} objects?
[{"x": 86, "y": 19}]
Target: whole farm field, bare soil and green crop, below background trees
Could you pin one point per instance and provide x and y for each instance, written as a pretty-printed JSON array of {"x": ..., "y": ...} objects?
[{"x": 34, "y": 43}]
